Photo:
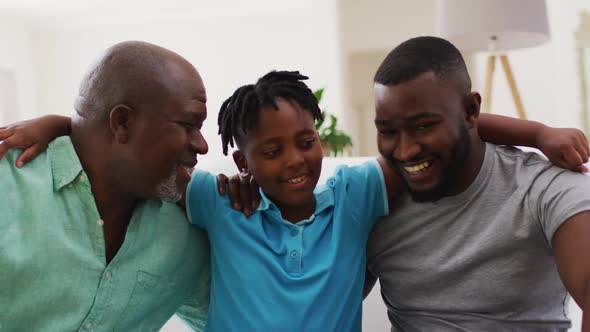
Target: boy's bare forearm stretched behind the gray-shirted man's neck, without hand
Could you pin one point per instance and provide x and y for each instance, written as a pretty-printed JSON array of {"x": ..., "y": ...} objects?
[{"x": 505, "y": 130}]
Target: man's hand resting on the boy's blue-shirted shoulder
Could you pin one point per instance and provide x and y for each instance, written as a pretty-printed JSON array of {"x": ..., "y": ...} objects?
[{"x": 243, "y": 192}]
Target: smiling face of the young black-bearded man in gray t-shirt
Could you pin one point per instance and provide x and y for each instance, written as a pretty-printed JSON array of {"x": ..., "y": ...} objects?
[{"x": 424, "y": 131}]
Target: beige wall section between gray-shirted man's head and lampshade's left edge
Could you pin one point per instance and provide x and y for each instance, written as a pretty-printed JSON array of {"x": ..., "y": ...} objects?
[{"x": 369, "y": 29}]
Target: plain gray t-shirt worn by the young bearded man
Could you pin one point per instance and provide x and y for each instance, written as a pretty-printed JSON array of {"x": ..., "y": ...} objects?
[{"x": 480, "y": 260}]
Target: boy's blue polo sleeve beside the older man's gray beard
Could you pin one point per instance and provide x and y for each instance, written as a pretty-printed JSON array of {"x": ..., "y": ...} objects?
[{"x": 202, "y": 199}]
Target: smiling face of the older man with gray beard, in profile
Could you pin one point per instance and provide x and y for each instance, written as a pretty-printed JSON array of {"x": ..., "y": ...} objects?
[{"x": 168, "y": 135}]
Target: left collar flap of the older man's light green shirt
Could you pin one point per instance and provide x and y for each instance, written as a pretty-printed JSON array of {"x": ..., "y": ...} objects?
[{"x": 65, "y": 164}]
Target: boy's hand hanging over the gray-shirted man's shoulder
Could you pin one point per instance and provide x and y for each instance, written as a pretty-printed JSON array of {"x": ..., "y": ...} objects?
[{"x": 565, "y": 147}]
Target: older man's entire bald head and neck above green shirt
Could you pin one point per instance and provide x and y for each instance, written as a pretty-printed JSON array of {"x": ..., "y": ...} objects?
[{"x": 142, "y": 146}]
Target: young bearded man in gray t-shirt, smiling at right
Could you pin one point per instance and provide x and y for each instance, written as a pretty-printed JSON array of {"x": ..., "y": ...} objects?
[{"x": 487, "y": 238}]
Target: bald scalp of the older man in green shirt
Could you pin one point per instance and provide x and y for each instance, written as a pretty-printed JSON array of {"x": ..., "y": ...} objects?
[{"x": 132, "y": 73}]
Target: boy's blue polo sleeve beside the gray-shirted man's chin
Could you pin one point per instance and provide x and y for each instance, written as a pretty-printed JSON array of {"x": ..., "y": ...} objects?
[{"x": 364, "y": 189}]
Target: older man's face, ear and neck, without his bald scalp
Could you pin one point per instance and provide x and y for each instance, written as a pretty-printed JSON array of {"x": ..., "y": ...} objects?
[{"x": 158, "y": 143}]
